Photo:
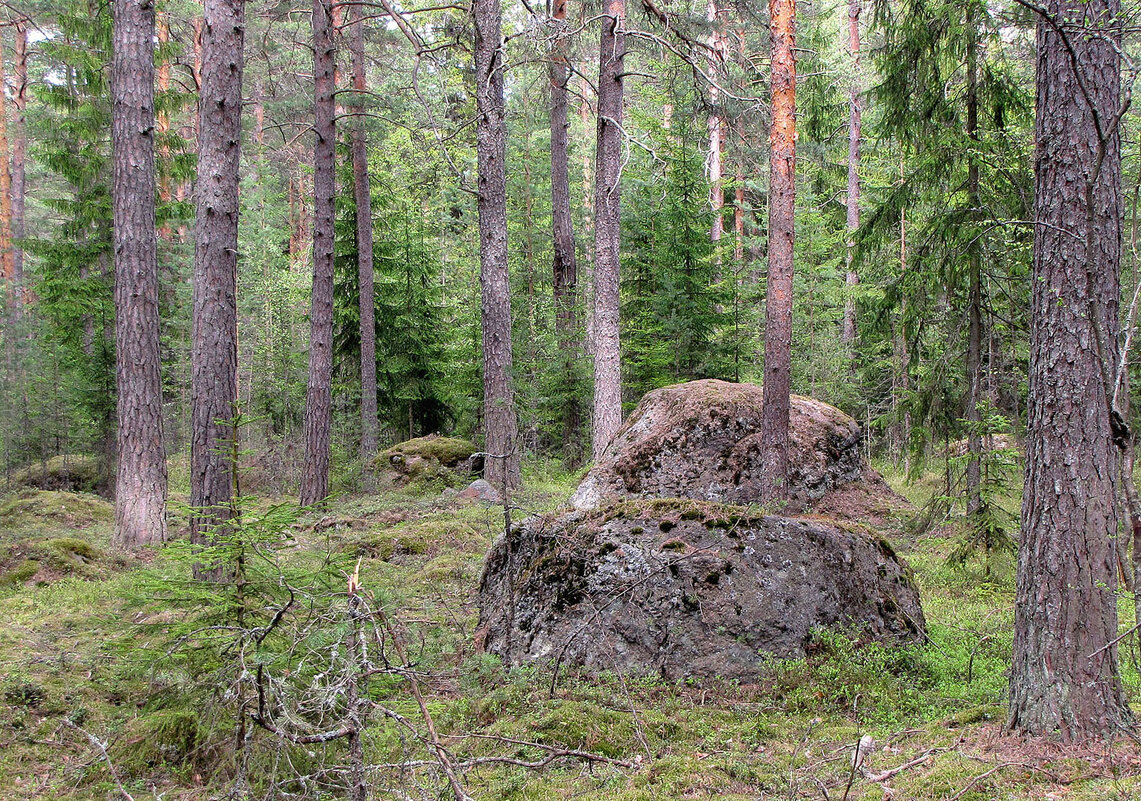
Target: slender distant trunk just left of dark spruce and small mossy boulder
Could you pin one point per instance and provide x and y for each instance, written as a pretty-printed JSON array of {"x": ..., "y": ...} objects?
[{"x": 362, "y": 191}]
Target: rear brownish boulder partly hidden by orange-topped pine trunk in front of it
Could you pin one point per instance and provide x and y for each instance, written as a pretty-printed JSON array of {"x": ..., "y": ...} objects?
[{"x": 703, "y": 441}]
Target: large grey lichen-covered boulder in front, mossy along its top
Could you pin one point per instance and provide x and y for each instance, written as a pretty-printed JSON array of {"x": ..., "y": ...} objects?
[{"x": 682, "y": 588}]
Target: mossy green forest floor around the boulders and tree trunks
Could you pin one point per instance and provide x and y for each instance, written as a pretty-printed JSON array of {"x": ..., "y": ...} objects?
[{"x": 87, "y": 662}]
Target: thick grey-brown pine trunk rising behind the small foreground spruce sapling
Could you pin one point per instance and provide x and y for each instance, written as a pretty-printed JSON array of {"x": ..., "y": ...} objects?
[{"x": 214, "y": 343}]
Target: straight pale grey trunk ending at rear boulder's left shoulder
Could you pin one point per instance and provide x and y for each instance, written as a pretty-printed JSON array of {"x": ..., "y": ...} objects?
[{"x": 608, "y": 233}]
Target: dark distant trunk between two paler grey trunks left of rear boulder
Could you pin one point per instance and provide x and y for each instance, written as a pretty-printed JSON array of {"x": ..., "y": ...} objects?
[{"x": 565, "y": 265}]
